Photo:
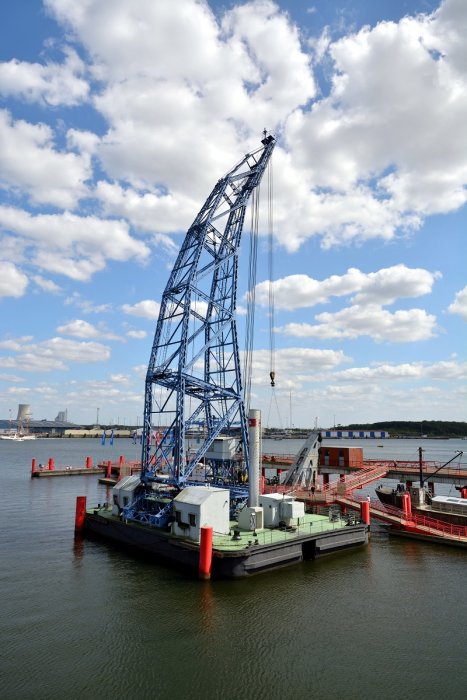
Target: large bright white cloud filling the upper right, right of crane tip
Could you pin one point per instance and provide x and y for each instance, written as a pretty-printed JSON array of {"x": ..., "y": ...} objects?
[{"x": 390, "y": 142}]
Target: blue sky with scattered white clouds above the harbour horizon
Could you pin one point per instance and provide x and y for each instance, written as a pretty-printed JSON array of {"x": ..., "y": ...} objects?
[{"x": 117, "y": 118}]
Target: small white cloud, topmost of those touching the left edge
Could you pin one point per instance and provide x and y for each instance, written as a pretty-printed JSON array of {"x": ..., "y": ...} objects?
[{"x": 53, "y": 83}]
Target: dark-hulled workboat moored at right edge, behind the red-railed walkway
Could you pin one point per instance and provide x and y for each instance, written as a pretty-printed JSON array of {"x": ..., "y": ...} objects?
[{"x": 449, "y": 509}]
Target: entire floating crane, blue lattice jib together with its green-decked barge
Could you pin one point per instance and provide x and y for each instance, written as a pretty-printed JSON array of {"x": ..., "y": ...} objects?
[{"x": 198, "y": 497}]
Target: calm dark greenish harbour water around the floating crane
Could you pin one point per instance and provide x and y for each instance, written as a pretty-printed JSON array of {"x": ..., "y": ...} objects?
[{"x": 82, "y": 619}]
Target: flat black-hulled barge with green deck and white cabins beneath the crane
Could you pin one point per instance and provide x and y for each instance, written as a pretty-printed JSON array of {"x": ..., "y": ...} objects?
[{"x": 240, "y": 548}]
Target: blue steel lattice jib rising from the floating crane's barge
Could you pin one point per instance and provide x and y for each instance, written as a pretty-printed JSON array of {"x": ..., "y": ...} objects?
[{"x": 193, "y": 382}]
